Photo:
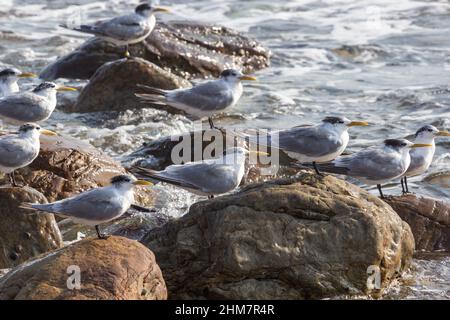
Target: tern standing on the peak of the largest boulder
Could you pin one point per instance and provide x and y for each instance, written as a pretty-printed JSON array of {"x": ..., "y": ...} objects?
[{"x": 320, "y": 143}]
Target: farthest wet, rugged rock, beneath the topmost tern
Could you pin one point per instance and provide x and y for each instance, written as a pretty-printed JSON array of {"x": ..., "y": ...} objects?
[{"x": 188, "y": 49}]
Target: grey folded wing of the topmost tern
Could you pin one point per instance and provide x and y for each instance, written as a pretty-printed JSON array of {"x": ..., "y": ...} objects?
[{"x": 123, "y": 28}]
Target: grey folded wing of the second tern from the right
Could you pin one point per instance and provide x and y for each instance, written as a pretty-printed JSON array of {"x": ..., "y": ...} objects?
[{"x": 372, "y": 164}]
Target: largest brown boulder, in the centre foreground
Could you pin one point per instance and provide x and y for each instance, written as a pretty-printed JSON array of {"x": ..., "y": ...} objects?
[{"x": 301, "y": 238}]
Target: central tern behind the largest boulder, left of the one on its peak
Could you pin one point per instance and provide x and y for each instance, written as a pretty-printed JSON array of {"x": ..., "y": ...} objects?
[{"x": 205, "y": 178}]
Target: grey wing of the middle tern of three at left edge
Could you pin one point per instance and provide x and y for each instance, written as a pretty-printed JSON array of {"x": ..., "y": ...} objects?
[{"x": 22, "y": 107}]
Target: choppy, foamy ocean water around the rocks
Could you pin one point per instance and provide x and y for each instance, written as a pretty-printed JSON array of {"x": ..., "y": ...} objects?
[{"x": 382, "y": 61}]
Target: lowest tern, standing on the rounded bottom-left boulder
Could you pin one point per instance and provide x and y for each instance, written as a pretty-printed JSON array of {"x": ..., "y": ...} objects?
[{"x": 95, "y": 206}]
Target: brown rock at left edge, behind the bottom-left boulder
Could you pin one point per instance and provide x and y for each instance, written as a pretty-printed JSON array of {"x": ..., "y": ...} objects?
[{"x": 24, "y": 235}]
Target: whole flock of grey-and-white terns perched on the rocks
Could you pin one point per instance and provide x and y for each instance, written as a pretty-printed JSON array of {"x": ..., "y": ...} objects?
[{"x": 320, "y": 146}]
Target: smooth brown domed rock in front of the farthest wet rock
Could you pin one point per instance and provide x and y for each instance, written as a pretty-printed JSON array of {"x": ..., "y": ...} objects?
[{"x": 107, "y": 90}]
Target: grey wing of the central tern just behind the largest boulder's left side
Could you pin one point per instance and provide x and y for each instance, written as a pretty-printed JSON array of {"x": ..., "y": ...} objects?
[{"x": 201, "y": 176}]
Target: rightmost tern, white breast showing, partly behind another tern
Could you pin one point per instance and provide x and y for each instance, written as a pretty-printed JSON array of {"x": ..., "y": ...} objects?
[{"x": 421, "y": 158}]
